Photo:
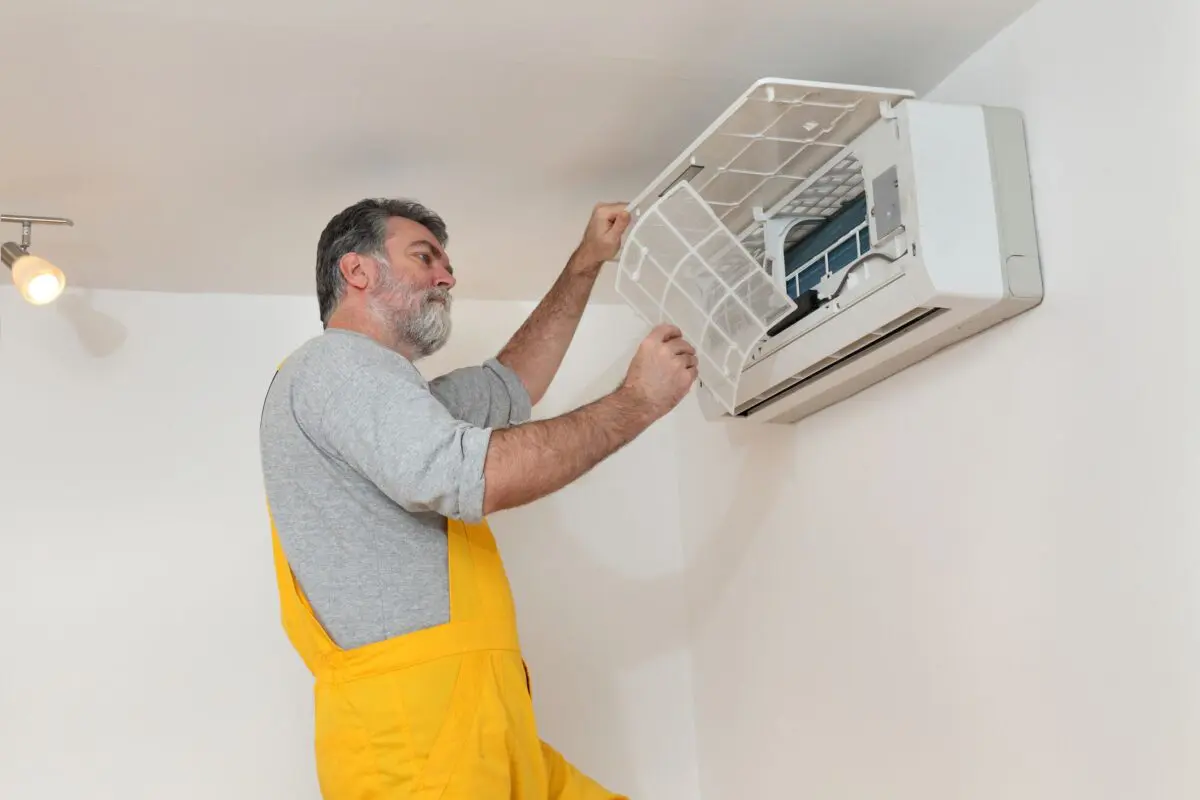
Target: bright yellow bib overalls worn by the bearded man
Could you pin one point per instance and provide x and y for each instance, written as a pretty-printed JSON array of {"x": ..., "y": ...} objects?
[{"x": 445, "y": 713}]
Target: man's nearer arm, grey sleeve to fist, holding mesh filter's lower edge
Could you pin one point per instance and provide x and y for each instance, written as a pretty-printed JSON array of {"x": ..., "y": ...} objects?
[{"x": 374, "y": 412}]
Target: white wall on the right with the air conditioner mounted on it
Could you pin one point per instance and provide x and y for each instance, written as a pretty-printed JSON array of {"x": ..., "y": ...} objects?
[{"x": 982, "y": 579}]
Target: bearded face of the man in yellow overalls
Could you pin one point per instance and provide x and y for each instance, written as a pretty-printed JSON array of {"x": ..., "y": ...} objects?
[{"x": 413, "y": 297}]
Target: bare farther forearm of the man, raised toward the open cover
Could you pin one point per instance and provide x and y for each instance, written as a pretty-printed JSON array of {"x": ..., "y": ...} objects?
[{"x": 536, "y": 352}]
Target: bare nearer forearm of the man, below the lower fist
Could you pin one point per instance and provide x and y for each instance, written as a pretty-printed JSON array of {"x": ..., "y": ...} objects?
[{"x": 531, "y": 461}]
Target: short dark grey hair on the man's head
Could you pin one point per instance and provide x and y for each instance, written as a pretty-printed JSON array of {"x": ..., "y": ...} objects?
[{"x": 363, "y": 228}]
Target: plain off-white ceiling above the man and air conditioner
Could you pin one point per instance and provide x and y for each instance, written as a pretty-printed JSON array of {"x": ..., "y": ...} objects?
[{"x": 201, "y": 146}]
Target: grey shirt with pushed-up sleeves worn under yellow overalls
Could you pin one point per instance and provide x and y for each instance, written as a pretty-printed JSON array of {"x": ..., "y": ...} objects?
[{"x": 363, "y": 462}]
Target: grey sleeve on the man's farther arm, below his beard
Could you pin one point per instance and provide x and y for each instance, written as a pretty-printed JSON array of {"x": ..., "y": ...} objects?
[{"x": 490, "y": 395}]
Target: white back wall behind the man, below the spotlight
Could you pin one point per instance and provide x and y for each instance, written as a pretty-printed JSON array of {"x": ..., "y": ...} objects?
[{"x": 142, "y": 649}]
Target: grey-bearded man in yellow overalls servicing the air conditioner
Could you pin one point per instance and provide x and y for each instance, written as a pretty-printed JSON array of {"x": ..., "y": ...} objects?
[{"x": 379, "y": 484}]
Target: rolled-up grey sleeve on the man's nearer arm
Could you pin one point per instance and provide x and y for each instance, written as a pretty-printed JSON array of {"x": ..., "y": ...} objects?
[{"x": 388, "y": 426}]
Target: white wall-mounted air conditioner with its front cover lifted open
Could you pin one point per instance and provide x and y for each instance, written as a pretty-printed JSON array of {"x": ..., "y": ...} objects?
[{"x": 820, "y": 238}]
